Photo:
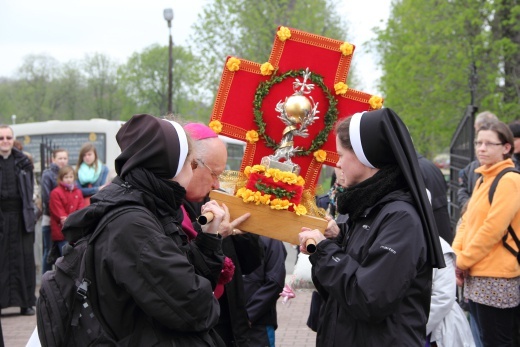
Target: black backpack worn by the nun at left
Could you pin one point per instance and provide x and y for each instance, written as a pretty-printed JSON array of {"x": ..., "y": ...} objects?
[{"x": 64, "y": 311}]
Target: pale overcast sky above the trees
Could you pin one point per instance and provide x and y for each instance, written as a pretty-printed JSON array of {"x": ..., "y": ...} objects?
[{"x": 69, "y": 29}]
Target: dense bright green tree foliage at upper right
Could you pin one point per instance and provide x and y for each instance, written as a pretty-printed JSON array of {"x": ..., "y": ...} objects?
[{"x": 438, "y": 57}]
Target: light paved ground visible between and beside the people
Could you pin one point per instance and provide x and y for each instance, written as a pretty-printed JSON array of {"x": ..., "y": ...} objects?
[{"x": 292, "y": 317}]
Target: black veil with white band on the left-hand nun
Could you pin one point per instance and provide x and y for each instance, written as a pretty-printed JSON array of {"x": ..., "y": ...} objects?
[{"x": 158, "y": 145}]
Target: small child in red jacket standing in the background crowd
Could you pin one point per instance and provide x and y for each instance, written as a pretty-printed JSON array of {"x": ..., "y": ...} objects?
[{"x": 65, "y": 199}]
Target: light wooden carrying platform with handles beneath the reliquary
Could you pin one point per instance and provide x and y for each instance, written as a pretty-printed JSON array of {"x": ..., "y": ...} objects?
[{"x": 276, "y": 224}]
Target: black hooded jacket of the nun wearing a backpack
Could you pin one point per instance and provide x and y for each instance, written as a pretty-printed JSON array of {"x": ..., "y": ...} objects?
[{"x": 149, "y": 291}]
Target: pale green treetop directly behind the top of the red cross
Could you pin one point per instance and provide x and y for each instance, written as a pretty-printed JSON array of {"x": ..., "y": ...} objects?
[{"x": 246, "y": 29}]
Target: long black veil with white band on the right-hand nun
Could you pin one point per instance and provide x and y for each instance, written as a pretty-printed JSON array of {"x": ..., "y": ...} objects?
[{"x": 380, "y": 138}]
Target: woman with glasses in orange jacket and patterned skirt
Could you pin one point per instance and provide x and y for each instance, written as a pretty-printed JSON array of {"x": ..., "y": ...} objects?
[{"x": 490, "y": 272}]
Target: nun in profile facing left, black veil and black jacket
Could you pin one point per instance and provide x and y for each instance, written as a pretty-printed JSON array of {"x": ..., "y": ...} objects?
[{"x": 375, "y": 276}]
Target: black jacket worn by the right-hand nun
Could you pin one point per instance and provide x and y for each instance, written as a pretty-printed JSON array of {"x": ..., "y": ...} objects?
[{"x": 374, "y": 278}]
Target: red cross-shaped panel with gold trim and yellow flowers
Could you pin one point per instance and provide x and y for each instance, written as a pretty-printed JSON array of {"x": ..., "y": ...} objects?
[{"x": 293, "y": 50}]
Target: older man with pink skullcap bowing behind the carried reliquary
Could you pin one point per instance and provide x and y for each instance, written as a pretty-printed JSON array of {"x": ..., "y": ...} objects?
[{"x": 242, "y": 248}]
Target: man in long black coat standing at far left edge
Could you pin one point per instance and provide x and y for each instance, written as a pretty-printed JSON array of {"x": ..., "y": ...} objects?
[{"x": 17, "y": 221}]
